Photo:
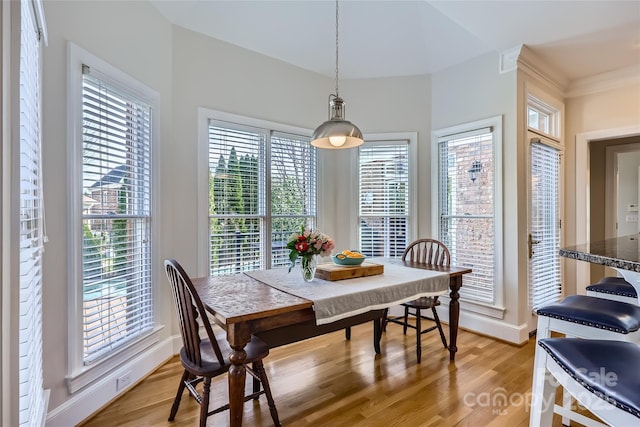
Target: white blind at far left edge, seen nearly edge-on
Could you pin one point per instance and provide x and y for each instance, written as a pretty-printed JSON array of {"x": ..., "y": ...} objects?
[{"x": 32, "y": 238}]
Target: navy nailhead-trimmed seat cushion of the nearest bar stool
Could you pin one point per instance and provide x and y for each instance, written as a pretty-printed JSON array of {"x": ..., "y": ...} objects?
[{"x": 609, "y": 369}]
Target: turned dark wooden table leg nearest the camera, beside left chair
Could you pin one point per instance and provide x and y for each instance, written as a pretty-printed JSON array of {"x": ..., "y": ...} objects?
[{"x": 238, "y": 337}]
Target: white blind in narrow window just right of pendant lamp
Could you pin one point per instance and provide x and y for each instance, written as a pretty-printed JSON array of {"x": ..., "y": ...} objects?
[{"x": 383, "y": 178}]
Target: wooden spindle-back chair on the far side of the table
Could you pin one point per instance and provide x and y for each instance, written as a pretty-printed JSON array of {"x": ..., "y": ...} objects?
[{"x": 431, "y": 252}]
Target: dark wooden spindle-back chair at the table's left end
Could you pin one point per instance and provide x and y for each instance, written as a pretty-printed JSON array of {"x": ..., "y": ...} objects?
[{"x": 206, "y": 358}]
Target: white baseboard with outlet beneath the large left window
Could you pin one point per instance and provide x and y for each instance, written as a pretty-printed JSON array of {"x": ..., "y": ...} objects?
[{"x": 93, "y": 397}]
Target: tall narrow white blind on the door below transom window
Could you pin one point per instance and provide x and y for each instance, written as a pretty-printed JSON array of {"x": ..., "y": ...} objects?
[{"x": 544, "y": 264}]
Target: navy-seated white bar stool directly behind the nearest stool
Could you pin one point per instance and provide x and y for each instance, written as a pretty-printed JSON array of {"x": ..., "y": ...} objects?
[{"x": 586, "y": 317}]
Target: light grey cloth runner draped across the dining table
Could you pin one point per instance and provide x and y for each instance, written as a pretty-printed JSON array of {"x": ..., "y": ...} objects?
[{"x": 337, "y": 300}]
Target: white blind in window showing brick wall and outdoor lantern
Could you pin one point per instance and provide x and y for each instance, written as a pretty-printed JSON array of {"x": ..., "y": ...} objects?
[{"x": 466, "y": 203}]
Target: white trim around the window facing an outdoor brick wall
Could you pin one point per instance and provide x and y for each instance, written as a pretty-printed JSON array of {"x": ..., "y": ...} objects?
[{"x": 497, "y": 309}]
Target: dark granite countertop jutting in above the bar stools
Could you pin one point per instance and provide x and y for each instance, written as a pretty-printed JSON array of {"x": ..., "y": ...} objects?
[{"x": 622, "y": 252}]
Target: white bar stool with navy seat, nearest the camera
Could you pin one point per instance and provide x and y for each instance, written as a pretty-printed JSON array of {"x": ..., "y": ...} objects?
[{"x": 602, "y": 375}]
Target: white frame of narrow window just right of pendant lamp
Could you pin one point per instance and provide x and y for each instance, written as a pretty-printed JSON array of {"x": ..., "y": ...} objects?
[{"x": 392, "y": 138}]
